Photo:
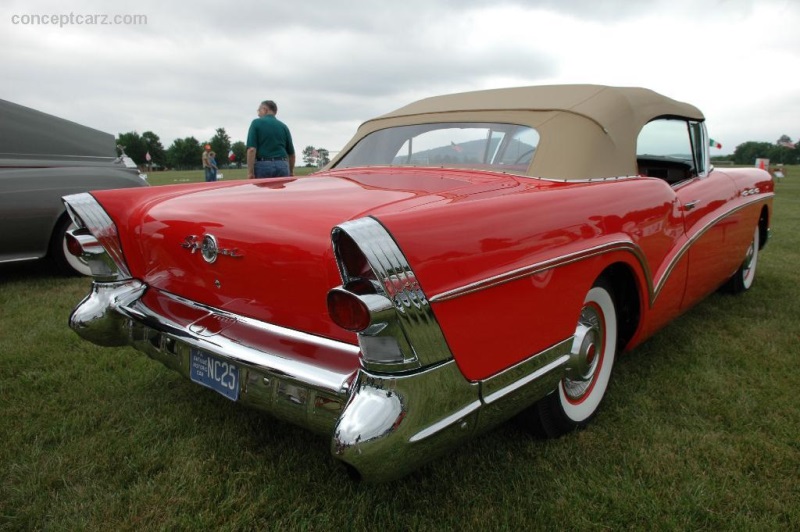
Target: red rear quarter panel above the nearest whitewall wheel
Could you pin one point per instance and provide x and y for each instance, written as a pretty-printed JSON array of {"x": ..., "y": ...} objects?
[{"x": 463, "y": 244}]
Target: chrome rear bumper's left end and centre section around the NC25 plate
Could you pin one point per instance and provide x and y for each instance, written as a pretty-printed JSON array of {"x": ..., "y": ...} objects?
[{"x": 272, "y": 377}]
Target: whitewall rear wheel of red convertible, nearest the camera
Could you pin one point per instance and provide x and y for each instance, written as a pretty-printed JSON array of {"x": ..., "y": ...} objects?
[{"x": 576, "y": 400}]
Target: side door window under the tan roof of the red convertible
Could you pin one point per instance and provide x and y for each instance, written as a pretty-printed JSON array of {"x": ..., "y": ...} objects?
[{"x": 666, "y": 149}]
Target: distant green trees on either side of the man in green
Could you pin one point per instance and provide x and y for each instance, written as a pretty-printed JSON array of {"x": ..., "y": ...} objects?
[{"x": 186, "y": 153}]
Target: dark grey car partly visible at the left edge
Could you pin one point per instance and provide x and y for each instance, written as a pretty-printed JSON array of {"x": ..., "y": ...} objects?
[{"x": 43, "y": 158}]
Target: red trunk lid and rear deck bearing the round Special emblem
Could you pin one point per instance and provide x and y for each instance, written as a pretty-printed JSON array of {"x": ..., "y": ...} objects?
[{"x": 275, "y": 261}]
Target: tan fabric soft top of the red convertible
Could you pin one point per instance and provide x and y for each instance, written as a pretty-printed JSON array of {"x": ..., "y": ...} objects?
[{"x": 586, "y": 131}]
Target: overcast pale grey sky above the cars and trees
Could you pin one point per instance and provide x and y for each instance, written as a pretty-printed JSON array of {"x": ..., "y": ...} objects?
[{"x": 186, "y": 70}]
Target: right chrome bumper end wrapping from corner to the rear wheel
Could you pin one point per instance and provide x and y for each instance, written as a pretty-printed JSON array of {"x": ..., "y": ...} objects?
[{"x": 393, "y": 424}]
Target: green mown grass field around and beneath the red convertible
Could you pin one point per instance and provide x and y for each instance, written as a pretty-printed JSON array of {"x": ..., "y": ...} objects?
[{"x": 700, "y": 430}]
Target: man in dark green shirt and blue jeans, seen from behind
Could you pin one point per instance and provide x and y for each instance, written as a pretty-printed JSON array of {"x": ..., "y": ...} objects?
[{"x": 270, "y": 152}]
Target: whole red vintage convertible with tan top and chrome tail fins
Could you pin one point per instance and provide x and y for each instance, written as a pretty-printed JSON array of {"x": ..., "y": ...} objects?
[{"x": 464, "y": 259}]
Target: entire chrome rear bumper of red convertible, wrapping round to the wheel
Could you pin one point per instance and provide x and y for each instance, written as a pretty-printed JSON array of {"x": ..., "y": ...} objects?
[{"x": 383, "y": 426}]
